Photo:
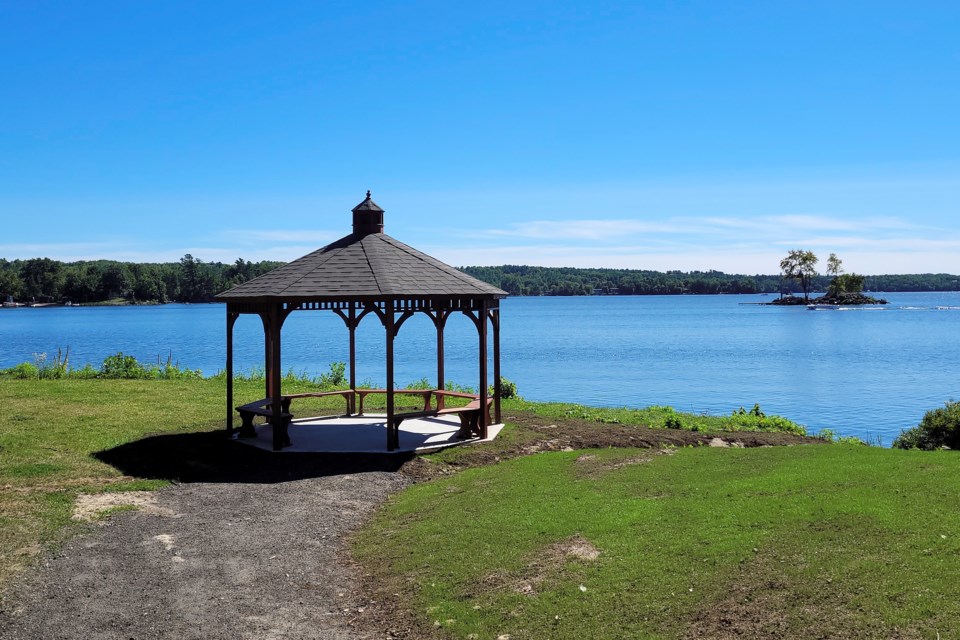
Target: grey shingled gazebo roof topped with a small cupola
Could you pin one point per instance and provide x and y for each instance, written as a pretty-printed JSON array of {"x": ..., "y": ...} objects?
[{"x": 365, "y": 265}]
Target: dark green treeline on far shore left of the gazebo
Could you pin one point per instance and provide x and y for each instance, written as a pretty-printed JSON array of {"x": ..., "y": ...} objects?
[{"x": 189, "y": 280}]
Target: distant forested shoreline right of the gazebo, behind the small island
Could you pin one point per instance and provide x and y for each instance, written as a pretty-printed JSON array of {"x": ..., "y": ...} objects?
[{"x": 559, "y": 281}]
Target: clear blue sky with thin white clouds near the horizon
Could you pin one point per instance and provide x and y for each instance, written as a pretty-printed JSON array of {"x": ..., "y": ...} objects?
[{"x": 652, "y": 135}]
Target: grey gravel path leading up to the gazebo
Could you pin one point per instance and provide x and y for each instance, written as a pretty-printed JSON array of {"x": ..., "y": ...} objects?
[{"x": 220, "y": 560}]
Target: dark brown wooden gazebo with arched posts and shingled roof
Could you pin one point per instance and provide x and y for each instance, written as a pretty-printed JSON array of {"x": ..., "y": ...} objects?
[{"x": 364, "y": 273}]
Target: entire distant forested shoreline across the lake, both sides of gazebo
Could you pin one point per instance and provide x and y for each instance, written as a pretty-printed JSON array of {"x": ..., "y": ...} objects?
[{"x": 192, "y": 280}]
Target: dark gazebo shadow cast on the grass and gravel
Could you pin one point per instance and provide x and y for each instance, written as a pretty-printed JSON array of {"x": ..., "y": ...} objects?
[{"x": 211, "y": 457}]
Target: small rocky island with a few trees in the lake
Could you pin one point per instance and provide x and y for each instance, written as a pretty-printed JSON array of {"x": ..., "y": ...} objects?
[{"x": 846, "y": 289}]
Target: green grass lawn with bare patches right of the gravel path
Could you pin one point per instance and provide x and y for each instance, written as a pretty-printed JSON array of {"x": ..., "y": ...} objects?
[{"x": 800, "y": 542}]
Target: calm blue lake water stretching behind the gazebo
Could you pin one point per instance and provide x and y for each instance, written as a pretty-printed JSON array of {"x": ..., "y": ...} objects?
[{"x": 866, "y": 372}]
